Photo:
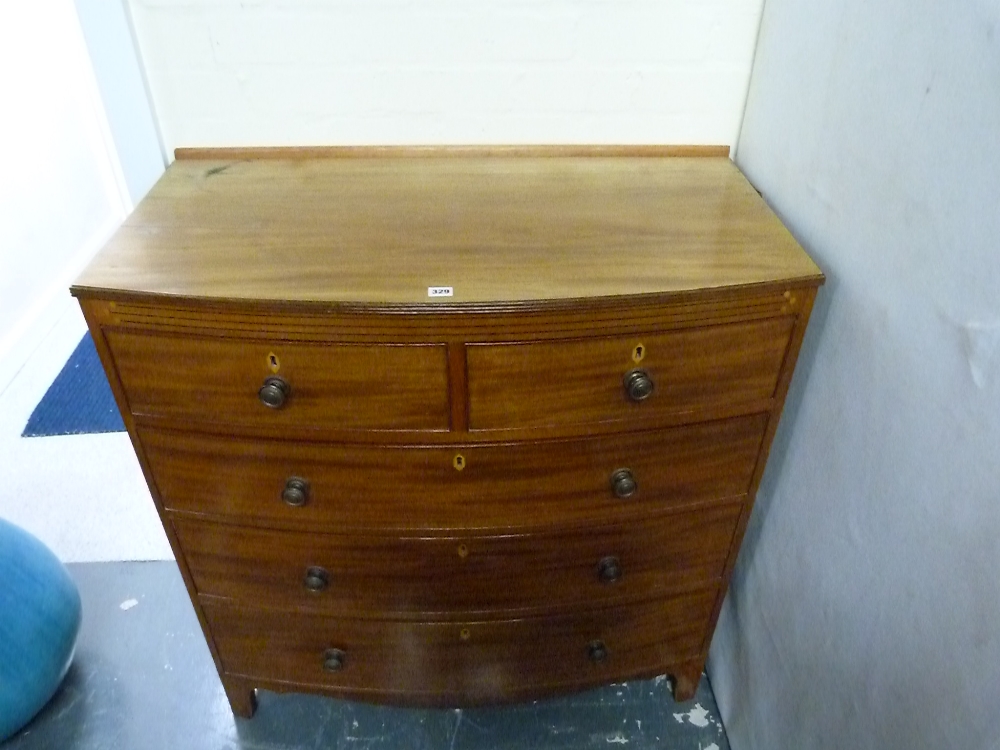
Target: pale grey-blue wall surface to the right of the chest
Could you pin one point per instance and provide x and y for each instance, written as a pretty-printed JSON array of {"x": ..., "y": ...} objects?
[{"x": 865, "y": 611}]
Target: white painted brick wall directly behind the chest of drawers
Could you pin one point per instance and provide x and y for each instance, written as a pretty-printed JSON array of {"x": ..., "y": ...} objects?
[{"x": 318, "y": 72}]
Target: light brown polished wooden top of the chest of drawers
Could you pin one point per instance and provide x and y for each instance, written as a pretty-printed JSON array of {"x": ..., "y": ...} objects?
[{"x": 381, "y": 230}]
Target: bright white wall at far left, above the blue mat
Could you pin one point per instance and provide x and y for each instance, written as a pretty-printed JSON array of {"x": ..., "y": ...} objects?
[{"x": 62, "y": 191}]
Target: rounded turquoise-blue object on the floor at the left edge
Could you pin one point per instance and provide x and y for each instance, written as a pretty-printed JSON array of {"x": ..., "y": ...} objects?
[{"x": 39, "y": 623}]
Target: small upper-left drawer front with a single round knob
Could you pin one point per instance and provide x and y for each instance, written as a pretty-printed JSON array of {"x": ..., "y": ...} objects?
[{"x": 344, "y": 386}]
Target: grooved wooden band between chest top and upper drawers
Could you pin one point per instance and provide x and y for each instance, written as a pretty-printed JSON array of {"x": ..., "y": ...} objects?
[{"x": 372, "y": 322}]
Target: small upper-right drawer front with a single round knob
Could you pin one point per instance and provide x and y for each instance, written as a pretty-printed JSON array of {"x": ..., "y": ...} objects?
[{"x": 556, "y": 383}]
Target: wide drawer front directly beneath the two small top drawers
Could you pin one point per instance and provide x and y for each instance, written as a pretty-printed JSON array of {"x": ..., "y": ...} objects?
[{"x": 494, "y": 486}]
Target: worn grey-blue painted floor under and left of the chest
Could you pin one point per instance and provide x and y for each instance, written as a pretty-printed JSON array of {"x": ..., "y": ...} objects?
[{"x": 143, "y": 679}]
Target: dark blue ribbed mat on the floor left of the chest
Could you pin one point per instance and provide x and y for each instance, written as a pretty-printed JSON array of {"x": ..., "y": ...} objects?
[{"x": 79, "y": 401}]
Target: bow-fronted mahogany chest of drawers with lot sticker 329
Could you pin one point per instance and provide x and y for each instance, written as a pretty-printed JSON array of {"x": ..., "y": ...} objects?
[{"x": 535, "y": 484}]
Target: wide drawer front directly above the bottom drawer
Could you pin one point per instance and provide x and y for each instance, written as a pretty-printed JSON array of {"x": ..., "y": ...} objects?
[{"x": 459, "y": 573}]
